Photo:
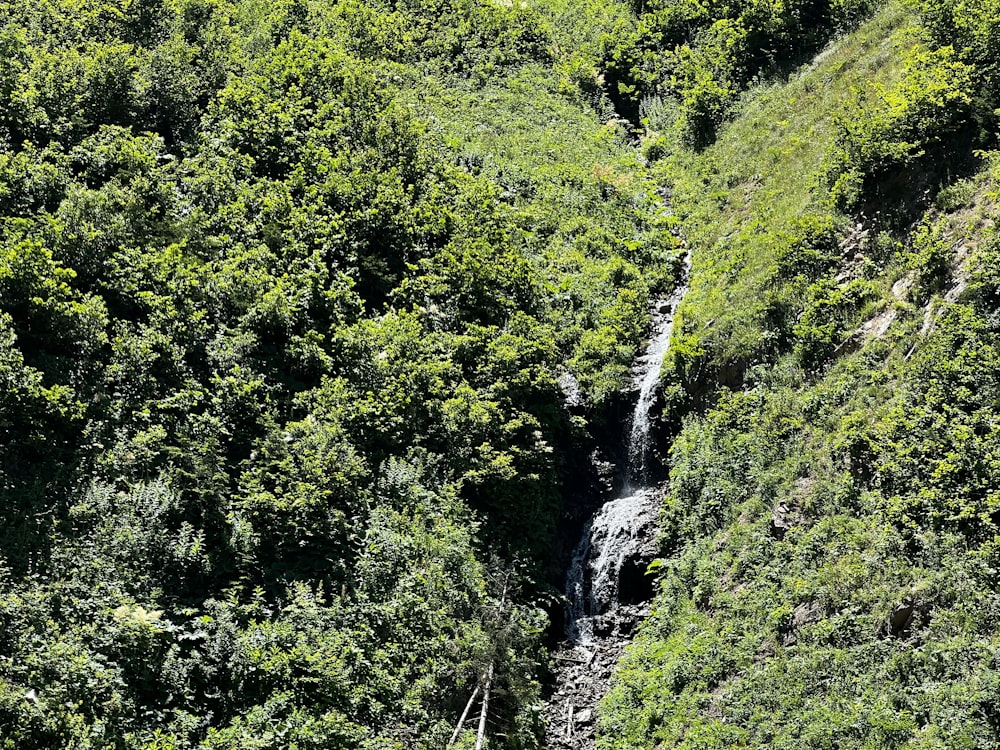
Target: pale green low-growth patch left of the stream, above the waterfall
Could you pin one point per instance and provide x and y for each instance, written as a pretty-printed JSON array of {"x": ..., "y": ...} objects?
[{"x": 590, "y": 218}]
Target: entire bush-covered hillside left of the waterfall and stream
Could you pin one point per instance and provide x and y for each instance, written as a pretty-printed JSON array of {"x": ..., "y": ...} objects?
[{"x": 284, "y": 291}]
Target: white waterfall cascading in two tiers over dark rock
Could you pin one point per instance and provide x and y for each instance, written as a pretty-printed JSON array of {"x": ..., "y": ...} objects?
[{"x": 619, "y": 530}]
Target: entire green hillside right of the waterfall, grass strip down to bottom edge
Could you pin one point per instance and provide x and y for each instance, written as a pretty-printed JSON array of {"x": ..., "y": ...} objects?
[{"x": 829, "y": 570}]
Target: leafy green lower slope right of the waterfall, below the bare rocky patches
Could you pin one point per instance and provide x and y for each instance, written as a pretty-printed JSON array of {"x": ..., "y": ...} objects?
[{"x": 829, "y": 552}]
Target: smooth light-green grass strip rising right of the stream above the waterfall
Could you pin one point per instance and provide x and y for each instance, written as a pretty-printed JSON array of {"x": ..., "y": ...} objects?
[{"x": 740, "y": 198}]
